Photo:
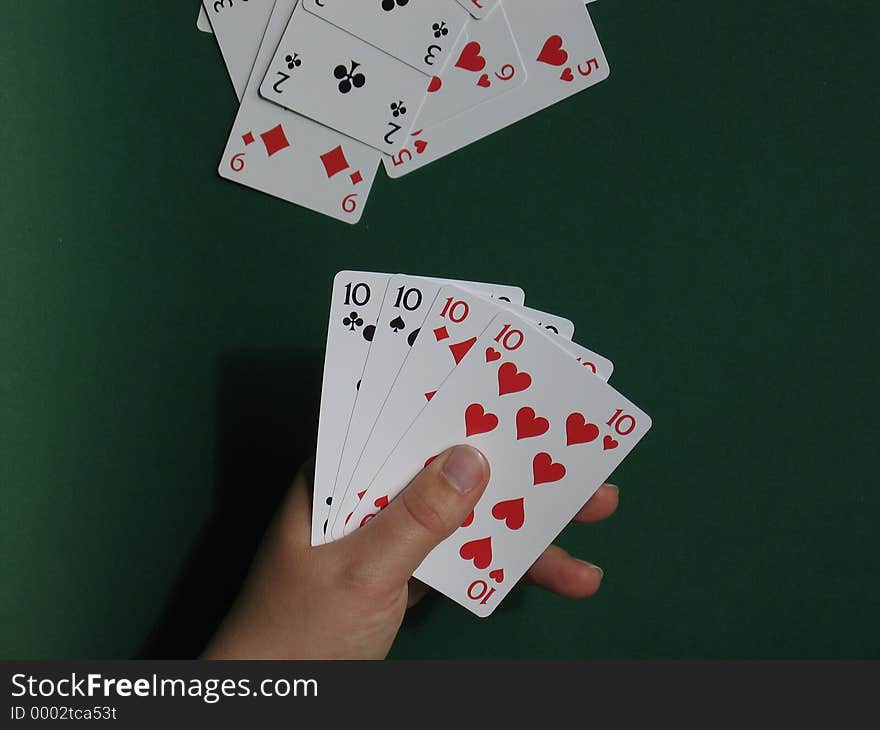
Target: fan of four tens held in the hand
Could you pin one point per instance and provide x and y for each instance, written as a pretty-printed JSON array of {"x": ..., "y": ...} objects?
[{"x": 415, "y": 365}]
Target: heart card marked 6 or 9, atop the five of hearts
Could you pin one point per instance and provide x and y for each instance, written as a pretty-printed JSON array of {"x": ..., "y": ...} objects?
[{"x": 484, "y": 65}]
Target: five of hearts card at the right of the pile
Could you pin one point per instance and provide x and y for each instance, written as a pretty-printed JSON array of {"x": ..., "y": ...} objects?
[{"x": 562, "y": 56}]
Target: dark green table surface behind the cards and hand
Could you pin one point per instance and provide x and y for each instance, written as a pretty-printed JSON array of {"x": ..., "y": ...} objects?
[{"x": 708, "y": 217}]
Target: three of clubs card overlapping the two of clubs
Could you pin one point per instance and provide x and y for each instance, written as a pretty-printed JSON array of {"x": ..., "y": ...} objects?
[{"x": 421, "y": 34}]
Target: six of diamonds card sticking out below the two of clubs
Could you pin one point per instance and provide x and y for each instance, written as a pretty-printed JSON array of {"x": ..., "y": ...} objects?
[{"x": 293, "y": 158}]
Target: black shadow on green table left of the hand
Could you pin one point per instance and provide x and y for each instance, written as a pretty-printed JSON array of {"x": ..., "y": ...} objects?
[{"x": 267, "y": 416}]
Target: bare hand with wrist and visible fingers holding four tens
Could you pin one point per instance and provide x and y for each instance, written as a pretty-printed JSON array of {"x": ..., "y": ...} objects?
[{"x": 347, "y": 599}]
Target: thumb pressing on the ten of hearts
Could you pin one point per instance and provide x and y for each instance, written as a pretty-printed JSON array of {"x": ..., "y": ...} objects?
[{"x": 429, "y": 510}]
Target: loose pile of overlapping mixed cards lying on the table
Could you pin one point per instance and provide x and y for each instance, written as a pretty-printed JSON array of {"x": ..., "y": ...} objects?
[{"x": 329, "y": 89}]
